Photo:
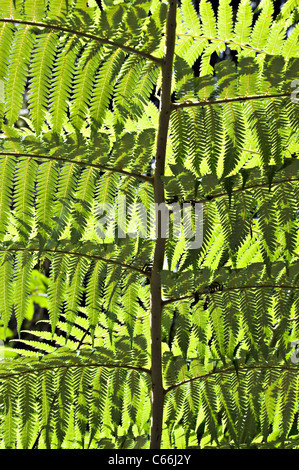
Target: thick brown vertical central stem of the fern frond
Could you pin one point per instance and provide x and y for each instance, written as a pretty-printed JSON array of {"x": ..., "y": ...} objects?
[{"x": 156, "y": 291}]
